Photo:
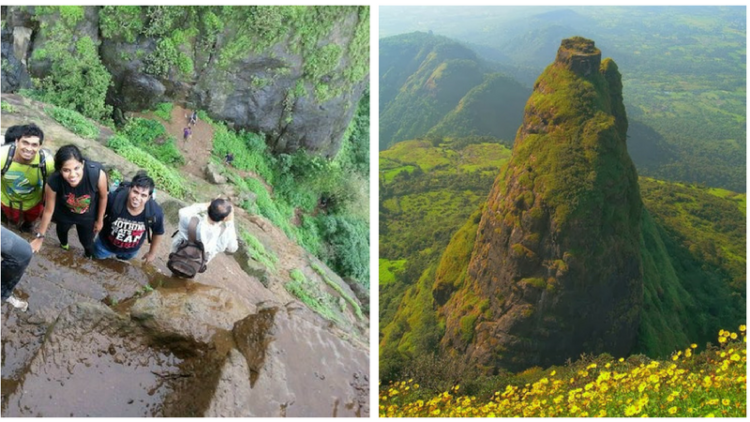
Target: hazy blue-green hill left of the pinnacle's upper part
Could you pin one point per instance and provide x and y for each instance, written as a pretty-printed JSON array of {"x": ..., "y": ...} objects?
[{"x": 430, "y": 84}]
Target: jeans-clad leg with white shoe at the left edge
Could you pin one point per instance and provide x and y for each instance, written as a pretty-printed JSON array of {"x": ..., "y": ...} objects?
[{"x": 16, "y": 254}]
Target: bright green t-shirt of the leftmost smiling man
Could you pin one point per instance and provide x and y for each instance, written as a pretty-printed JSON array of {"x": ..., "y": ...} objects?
[{"x": 23, "y": 182}]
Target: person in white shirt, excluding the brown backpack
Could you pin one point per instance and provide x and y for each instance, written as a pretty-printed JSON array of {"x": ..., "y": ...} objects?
[{"x": 215, "y": 227}]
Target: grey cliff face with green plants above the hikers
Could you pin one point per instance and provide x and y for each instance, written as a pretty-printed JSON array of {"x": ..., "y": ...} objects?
[{"x": 294, "y": 75}]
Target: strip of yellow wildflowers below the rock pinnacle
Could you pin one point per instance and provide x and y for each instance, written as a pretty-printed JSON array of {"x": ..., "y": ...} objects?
[{"x": 706, "y": 384}]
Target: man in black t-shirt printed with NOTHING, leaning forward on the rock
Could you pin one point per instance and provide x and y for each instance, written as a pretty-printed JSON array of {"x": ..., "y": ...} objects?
[{"x": 131, "y": 213}]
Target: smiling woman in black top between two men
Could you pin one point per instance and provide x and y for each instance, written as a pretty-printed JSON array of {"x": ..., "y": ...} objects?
[{"x": 76, "y": 195}]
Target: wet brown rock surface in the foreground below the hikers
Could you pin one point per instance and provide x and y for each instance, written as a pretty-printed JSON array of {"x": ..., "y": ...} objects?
[{"x": 110, "y": 338}]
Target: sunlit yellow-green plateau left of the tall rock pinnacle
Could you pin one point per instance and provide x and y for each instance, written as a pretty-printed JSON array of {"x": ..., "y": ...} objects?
[{"x": 426, "y": 193}]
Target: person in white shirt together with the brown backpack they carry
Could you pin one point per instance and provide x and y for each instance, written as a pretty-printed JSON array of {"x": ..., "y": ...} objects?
[{"x": 209, "y": 224}]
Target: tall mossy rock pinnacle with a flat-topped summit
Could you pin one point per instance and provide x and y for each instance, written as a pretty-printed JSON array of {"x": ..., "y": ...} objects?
[{"x": 556, "y": 270}]
